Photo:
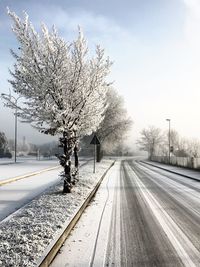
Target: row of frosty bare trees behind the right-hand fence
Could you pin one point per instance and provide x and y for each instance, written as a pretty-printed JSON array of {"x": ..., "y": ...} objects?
[{"x": 156, "y": 143}]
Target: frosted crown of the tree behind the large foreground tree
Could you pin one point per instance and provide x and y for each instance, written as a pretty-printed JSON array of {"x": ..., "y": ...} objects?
[{"x": 115, "y": 124}]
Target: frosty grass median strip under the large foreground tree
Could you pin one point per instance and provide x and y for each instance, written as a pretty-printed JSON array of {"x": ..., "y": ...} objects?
[{"x": 25, "y": 235}]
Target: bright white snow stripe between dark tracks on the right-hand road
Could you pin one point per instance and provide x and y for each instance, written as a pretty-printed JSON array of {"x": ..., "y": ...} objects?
[{"x": 183, "y": 246}]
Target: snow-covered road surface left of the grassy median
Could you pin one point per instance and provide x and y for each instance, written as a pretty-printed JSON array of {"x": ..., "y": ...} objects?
[{"x": 16, "y": 194}]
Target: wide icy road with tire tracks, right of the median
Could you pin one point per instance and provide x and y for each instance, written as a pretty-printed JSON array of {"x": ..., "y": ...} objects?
[{"x": 141, "y": 216}]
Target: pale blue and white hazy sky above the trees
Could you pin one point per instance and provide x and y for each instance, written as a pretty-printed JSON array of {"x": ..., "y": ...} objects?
[{"x": 155, "y": 46}]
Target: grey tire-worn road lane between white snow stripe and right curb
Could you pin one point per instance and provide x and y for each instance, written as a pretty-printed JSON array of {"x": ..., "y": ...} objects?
[{"x": 181, "y": 203}]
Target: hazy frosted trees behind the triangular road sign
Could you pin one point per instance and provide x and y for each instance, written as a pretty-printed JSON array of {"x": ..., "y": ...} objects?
[{"x": 112, "y": 130}]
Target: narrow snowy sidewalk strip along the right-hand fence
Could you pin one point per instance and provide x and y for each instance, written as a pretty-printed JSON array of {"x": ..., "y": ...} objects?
[{"x": 192, "y": 174}]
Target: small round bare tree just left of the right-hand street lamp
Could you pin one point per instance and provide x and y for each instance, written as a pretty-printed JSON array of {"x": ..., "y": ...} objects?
[{"x": 150, "y": 139}]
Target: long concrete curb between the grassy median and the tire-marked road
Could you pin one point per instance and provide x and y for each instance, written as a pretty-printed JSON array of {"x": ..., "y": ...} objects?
[{"x": 56, "y": 244}]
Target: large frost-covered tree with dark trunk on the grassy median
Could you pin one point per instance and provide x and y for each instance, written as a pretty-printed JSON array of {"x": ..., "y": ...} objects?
[{"x": 63, "y": 87}]
